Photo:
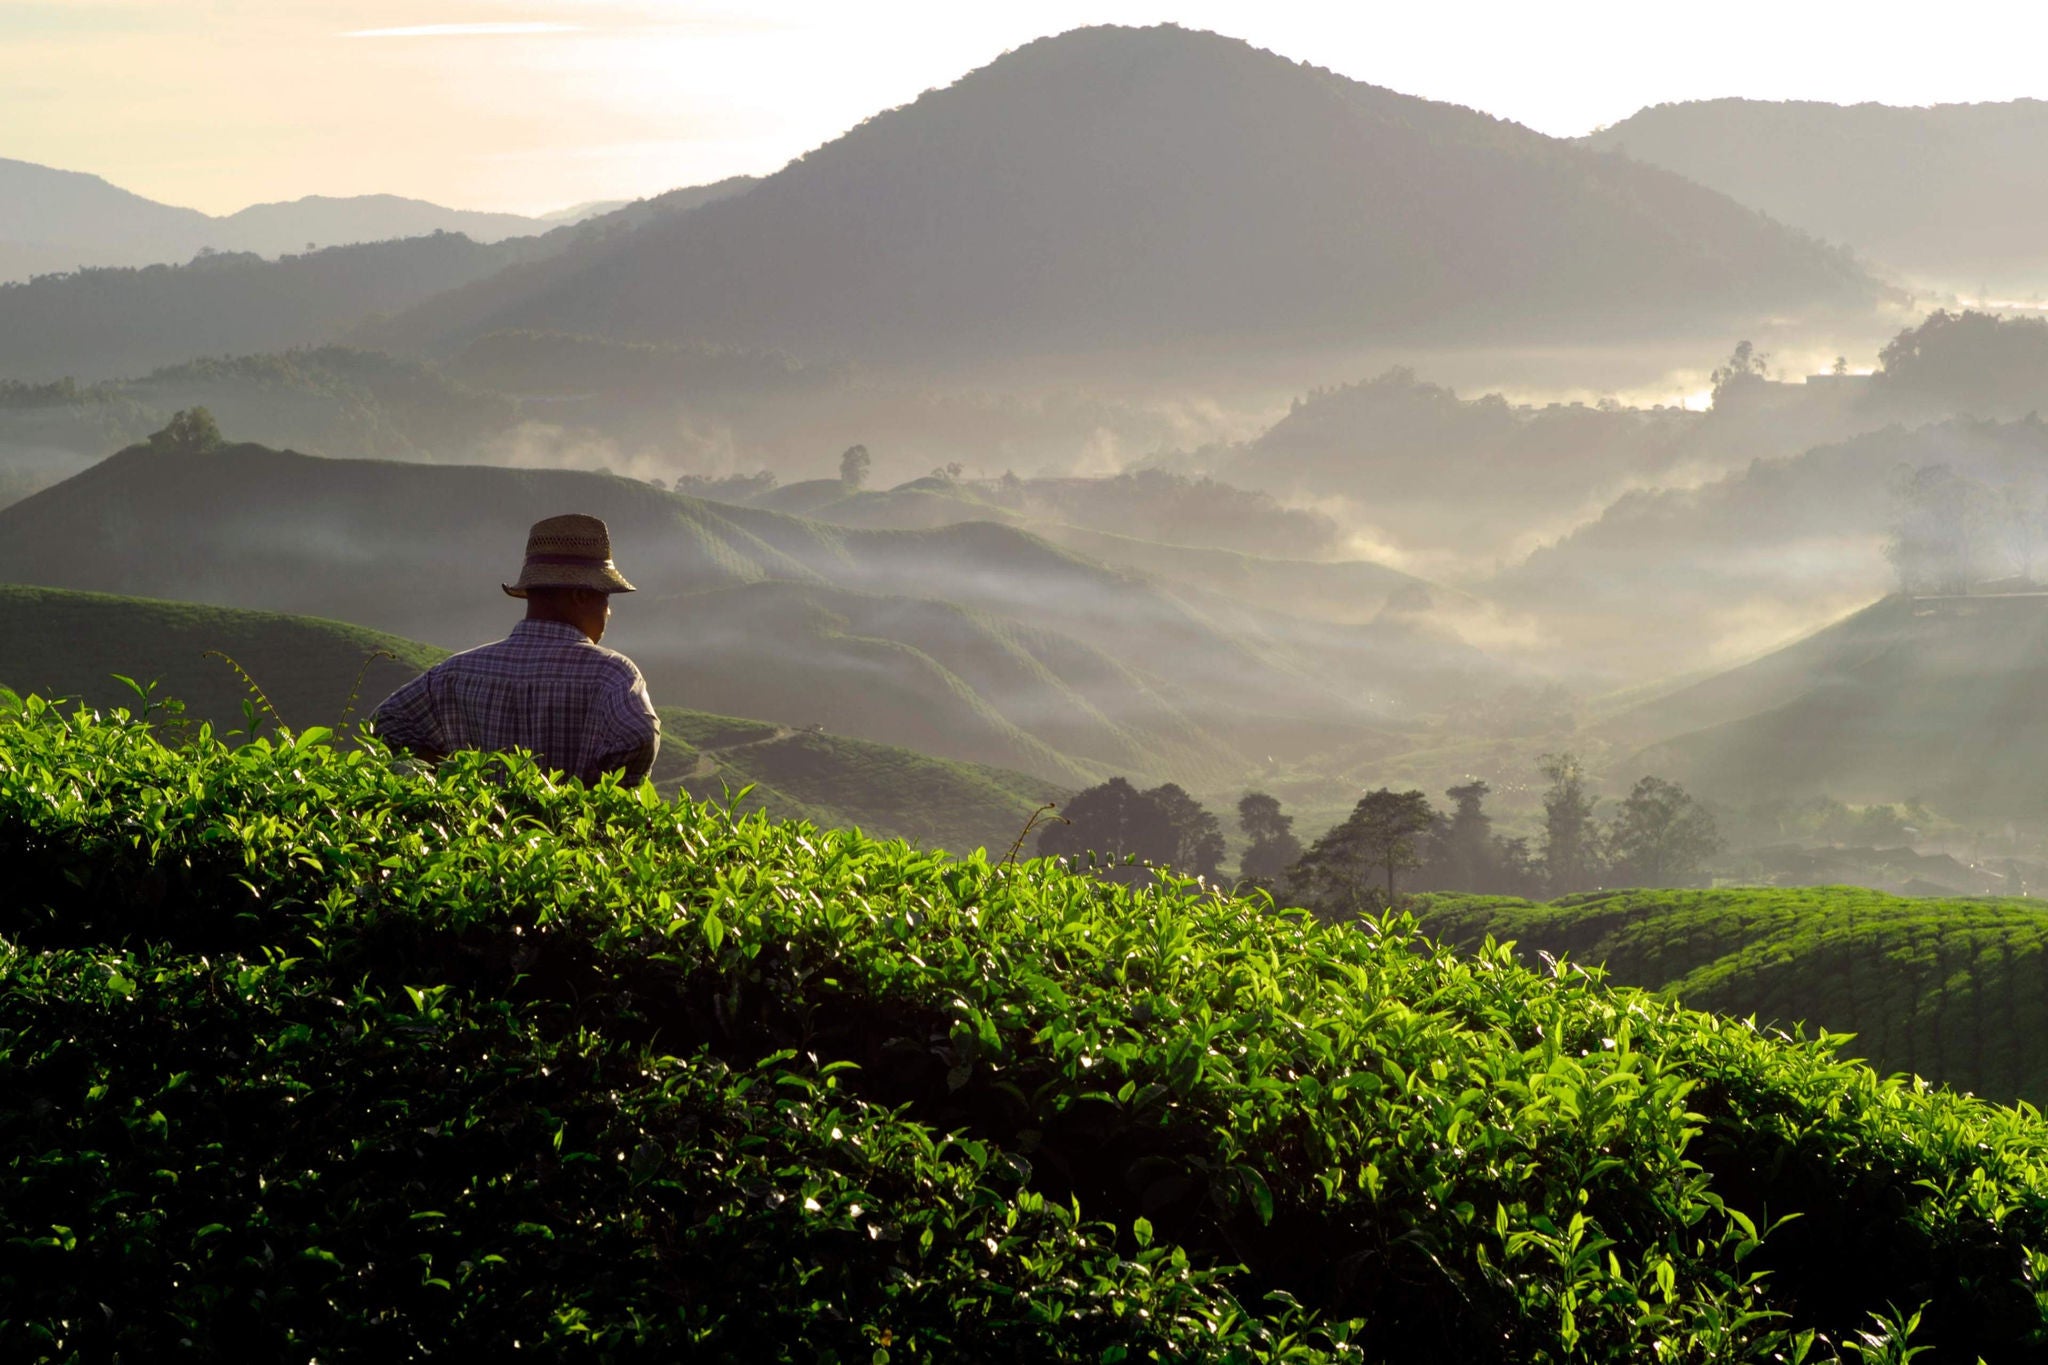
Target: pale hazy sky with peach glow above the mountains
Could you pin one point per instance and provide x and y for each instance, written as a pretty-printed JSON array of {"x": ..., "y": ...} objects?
[{"x": 544, "y": 103}]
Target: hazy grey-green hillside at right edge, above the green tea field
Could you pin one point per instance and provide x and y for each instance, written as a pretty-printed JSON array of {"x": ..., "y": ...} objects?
[{"x": 1934, "y": 699}]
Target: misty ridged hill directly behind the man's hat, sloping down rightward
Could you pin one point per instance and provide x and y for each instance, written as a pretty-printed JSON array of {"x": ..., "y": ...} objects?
[{"x": 976, "y": 635}]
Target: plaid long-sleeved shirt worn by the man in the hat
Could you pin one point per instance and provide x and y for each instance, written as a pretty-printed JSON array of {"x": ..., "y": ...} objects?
[{"x": 579, "y": 707}]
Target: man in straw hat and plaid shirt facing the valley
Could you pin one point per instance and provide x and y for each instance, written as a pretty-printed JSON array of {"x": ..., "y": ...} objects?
[{"x": 548, "y": 687}]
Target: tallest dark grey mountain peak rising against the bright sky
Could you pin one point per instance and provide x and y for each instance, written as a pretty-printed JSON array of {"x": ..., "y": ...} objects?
[{"x": 1132, "y": 187}]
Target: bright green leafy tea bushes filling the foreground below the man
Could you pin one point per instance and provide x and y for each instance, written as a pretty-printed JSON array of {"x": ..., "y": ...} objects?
[{"x": 308, "y": 1057}]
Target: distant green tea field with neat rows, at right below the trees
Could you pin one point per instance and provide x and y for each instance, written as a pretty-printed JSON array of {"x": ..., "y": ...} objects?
[{"x": 1955, "y": 992}]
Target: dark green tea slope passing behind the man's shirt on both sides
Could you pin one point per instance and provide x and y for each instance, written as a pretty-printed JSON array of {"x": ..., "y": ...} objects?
[{"x": 73, "y": 646}]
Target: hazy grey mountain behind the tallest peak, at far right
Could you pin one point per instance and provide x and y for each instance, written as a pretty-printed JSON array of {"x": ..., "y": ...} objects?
[{"x": 1949, "y": 193}]
